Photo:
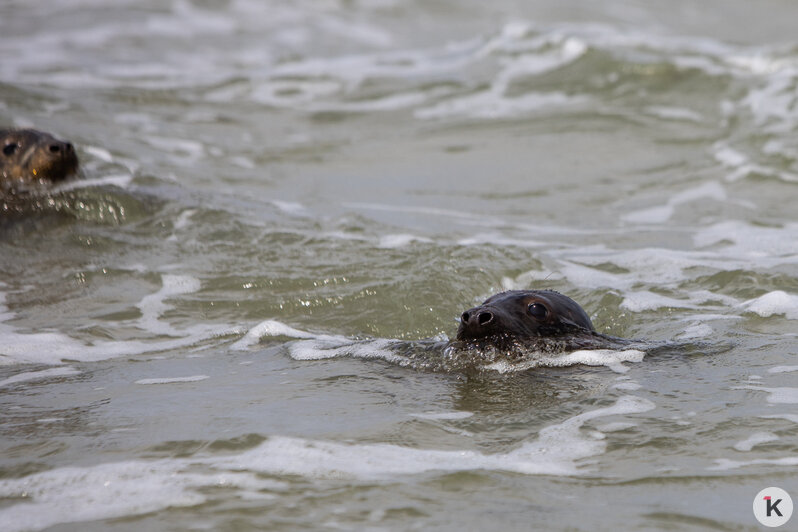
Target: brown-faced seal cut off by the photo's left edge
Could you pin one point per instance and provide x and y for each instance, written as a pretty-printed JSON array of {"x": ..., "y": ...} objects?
[{"x": 30, "y": 159}]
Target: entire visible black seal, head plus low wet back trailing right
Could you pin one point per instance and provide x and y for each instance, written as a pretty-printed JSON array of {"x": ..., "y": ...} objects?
[{"x": 543, "y": 320}]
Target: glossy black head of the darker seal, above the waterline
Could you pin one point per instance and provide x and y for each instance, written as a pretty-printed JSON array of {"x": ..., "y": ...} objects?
[{"x": 523, "y": 314}]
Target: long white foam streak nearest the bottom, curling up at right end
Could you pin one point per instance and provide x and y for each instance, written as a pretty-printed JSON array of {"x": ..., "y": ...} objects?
[{"x": 106, "y": 491}]
